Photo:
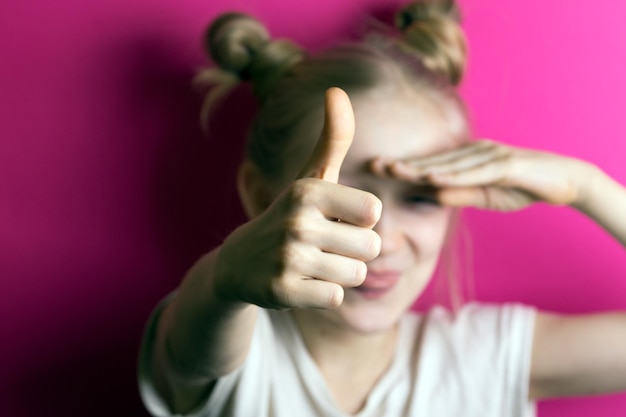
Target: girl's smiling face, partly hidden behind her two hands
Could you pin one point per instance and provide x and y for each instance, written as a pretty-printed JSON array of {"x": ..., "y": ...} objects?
[{"x": 413, "y": 227}]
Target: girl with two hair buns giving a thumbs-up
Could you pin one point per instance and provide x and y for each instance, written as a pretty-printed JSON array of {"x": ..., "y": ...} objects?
[{"x": 304, "y": 310}]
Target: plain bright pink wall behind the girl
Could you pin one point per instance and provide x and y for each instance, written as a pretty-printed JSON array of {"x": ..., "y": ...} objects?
[{"x": 108, "y": 191}]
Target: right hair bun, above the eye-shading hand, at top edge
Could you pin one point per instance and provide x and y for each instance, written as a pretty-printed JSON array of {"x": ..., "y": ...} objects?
[{"x": 431, "y": 28}]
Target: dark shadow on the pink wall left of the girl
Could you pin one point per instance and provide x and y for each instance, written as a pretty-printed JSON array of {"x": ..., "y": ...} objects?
[{"x": 193, "y": 205}]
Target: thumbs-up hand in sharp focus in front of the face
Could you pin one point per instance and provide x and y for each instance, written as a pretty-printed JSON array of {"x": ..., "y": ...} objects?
[{"x": 314, "y": 239}]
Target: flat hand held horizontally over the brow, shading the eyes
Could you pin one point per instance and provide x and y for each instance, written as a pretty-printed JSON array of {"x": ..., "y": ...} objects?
[{"x": 490, "y": 175}]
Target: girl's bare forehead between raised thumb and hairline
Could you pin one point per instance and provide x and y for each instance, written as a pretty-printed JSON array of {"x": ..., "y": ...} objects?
[{"x": 401, "y": 126}]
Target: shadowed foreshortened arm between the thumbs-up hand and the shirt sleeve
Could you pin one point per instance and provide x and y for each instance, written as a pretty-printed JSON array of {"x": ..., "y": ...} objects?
[{"x": 200, "y": 338}]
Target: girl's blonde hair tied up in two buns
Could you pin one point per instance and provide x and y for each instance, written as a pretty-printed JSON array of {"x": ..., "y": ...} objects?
[{"x": 427, "y": 51}]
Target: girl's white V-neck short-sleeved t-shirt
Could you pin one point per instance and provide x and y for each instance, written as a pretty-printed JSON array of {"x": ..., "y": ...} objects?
[{"x": 474, "y": 364}]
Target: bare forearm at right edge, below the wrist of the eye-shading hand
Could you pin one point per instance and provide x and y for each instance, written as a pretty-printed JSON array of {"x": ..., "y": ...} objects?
[{"x": 604, "y": 200}]
